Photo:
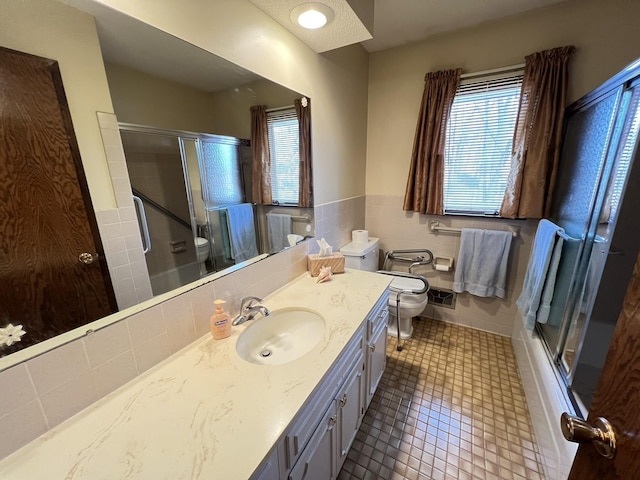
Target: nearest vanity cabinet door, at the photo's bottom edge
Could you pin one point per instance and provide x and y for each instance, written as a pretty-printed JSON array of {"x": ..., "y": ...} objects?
[{"x": 318, "y": 459}]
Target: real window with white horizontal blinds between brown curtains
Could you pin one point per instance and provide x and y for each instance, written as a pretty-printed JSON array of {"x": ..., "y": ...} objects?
[{"x": 479, "y": 143}]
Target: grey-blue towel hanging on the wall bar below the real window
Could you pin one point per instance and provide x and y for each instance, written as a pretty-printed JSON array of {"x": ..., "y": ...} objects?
[{"x": 482, "y": 262}]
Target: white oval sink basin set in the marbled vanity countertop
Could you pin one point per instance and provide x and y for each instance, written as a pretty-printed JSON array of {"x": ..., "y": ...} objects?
[{"x": 283, "y": 336}]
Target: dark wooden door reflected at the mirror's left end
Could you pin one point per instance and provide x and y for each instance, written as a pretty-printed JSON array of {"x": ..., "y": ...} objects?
[{"x": 46, "y": 216}]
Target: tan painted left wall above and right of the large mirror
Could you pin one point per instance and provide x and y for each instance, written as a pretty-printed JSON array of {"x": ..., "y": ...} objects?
[{"x": 336, "y": 82}]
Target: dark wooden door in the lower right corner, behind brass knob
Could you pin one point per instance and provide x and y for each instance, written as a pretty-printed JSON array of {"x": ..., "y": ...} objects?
[{"x": 617, "y": 398}]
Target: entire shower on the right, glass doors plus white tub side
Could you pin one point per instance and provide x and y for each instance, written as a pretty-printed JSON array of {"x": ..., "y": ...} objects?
[{"x": 596, "y": 201}]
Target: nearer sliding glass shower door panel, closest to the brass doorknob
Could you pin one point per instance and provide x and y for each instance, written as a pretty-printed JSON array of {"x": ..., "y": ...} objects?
[{"x": 595, "y": 316}]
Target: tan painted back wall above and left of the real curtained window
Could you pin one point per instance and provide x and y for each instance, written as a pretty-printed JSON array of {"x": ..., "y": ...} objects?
[{"x": 604, "y": 32}]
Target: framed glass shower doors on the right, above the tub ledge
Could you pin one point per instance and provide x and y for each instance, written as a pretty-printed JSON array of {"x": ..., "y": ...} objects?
[{"x": 597, "y": 204}]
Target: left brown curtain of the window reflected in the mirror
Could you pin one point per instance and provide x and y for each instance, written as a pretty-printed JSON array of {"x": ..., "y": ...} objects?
[{"x": 261, "y": 160}]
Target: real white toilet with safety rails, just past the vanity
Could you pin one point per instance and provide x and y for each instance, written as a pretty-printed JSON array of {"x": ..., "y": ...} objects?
[{"x": 364, "y": 256}]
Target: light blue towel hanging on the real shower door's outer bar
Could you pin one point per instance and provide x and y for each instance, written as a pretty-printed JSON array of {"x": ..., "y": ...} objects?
[{"x": 539, "y": 282}]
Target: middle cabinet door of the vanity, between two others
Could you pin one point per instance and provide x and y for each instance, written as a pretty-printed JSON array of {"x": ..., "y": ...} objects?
[{"x": 350, "y": 404}]
